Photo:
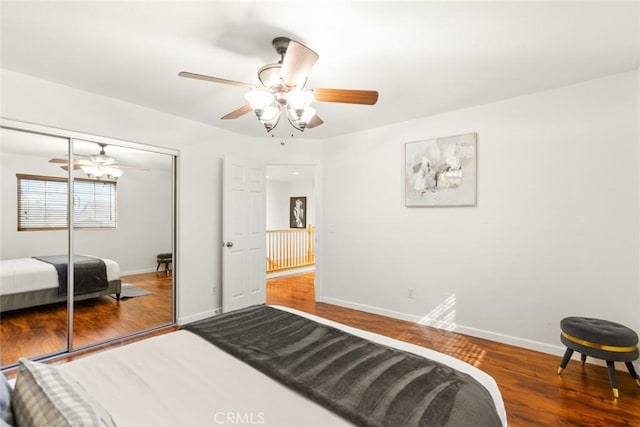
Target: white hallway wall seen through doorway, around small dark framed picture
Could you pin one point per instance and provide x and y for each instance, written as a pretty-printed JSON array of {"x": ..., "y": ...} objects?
[{"x": 278, "y": 194}]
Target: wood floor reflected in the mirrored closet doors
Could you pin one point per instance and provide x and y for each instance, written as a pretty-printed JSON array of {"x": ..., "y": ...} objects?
[{"x": 42, "y": 330}]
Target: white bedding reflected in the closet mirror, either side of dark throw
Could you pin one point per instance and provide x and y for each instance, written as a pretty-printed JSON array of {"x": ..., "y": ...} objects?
[{"x": 30, "y": 274}]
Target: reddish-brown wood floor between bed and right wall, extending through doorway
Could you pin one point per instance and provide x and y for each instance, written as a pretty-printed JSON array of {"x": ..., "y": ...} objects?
[{"x": 533, "y": 393}]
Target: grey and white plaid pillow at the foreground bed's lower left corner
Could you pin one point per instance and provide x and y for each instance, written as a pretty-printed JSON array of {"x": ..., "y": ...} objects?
[{"x": 43, "y": 396}]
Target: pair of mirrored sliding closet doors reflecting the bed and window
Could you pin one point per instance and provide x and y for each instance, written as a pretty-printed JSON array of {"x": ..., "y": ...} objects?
[{"x": 120, "y": 198}]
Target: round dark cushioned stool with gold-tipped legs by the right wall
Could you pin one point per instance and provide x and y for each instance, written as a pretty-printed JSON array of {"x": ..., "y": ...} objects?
[{"x": 601, "y": 339}]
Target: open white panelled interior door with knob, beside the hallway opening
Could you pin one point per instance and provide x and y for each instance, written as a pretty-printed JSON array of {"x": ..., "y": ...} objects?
[{"x": 243, "y": 233}]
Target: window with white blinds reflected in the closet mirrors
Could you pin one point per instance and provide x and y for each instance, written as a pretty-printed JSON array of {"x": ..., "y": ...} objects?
[{"x": 42, "y": 203}]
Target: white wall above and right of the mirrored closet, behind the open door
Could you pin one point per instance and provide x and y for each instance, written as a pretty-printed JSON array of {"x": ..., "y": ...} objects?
[{"x": 201, "y": 148}]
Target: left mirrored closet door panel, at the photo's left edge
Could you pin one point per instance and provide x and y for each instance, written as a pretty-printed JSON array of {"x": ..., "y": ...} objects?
[{"x": 33, "y": 221}]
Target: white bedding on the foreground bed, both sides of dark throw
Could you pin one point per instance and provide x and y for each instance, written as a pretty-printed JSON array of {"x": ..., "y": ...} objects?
[{"x": 180, "y": 379}]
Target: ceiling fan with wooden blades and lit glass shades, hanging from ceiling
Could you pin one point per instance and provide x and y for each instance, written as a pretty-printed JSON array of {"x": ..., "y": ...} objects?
[{"x": 282, "y": 91}]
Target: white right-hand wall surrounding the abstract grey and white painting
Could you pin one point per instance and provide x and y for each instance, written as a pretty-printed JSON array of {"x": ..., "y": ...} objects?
[{"x": 554, "y": 234}]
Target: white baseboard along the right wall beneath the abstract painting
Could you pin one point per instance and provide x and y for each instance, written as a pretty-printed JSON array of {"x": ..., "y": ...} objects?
[{"x": 556, "y": 350}]
